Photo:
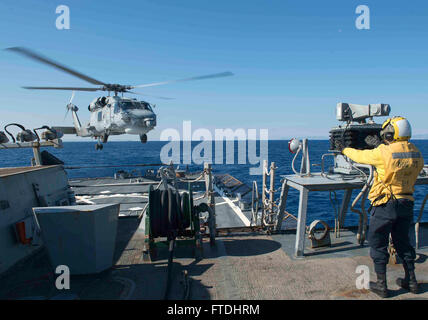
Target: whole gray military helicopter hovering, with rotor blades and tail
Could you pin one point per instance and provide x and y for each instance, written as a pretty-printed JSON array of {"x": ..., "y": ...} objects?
[{"x": 110, "y": 115}]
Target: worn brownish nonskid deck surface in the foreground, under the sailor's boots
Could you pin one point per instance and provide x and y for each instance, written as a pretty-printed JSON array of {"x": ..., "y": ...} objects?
[{"x": 240, "y": 266}]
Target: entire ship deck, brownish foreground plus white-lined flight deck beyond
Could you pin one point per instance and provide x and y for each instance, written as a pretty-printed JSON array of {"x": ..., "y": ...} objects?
[{"x": 243, "y": 264}]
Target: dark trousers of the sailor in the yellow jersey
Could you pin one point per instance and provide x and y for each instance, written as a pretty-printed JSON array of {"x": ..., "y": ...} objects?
[{"x": 394, "y": 217}]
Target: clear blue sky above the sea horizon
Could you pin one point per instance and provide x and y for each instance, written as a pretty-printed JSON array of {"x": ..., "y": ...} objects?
[{"x": 293, "y": 60}]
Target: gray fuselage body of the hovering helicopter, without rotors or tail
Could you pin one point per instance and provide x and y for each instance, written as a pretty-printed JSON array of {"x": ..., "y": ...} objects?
[{"x": 116, "y": 115}]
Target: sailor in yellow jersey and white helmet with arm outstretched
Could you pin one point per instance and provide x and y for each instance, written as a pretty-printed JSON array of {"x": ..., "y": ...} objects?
[{"x": 398, "y": 164}]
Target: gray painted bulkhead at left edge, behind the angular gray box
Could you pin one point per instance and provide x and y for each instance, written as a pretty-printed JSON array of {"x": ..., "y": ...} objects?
[{"x": 21, "y": 189}]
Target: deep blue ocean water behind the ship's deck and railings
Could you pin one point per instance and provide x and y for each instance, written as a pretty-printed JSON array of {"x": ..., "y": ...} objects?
[{"x": 126, "y": 154}]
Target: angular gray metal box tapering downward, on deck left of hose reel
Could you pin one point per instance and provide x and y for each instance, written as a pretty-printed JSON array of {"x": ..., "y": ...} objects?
[{"x": 80, "y": 237}]
